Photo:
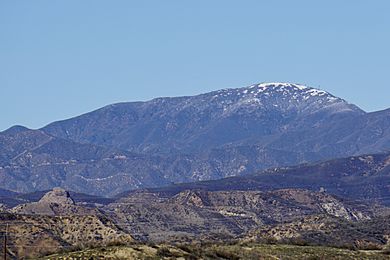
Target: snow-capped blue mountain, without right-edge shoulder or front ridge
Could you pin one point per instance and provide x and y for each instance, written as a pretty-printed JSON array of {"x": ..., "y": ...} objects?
[{"x": 260, "y": 112}]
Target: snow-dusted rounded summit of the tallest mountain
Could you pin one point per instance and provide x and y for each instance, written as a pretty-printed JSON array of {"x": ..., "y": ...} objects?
[{"x": 279, "y": 96}]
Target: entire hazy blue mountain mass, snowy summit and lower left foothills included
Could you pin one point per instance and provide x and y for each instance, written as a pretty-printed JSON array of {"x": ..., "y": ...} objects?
[{"x": 231, "y": 132}]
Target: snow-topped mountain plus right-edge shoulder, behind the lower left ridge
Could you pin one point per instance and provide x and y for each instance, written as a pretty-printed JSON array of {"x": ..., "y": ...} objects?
[{"x": 286, "y": 117}]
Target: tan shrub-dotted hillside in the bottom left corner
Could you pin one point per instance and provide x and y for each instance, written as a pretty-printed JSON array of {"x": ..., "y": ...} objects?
[{"x": 31, "y": 236}]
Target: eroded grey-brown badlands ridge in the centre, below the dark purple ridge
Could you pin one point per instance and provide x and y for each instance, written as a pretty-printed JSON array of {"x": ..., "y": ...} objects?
[{"x": 224, "y": 214}]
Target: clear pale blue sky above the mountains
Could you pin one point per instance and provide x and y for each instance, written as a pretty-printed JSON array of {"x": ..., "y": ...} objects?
[{"x": 62, "y": 58}]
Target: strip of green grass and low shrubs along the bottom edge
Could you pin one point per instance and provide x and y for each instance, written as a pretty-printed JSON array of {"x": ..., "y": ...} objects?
[{"x": 220, "y": 251}]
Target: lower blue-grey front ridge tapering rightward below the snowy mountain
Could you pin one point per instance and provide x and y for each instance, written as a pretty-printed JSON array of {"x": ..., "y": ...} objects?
[{"x": 36, "y": 161}]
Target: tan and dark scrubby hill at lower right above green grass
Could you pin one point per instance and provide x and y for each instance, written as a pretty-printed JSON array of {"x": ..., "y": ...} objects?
[{"x": 327, "y": 230}]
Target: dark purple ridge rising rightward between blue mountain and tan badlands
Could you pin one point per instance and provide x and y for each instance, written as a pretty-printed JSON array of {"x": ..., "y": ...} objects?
[{"x": 363, "y": 178}]
